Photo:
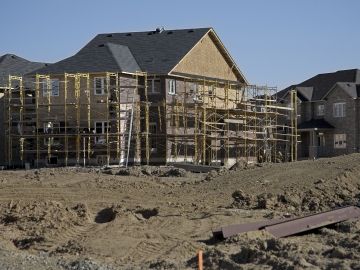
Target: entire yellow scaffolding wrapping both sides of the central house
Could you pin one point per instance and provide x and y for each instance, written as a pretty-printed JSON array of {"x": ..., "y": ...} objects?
[{"x": 114, "y": 118}]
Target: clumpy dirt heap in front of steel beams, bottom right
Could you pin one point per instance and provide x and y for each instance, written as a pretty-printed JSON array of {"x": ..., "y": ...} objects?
[{"x": 261, "y": 250}]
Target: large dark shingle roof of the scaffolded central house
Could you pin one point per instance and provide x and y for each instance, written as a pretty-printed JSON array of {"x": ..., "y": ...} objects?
[{"x": 155, "y": 52}]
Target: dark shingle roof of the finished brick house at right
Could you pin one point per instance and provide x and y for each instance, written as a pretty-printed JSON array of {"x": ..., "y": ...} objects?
[{"x": 321, "y": 84}]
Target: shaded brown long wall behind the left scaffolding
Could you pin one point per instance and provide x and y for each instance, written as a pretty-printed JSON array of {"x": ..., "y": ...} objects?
[{"x": 55, "y": 113}]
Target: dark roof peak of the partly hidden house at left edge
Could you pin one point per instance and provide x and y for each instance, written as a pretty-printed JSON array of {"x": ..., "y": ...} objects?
[{"x": 11, "y": 64}]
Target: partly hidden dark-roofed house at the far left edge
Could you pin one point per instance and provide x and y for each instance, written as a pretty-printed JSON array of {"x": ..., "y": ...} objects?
[{"x": 14, "y": 65}]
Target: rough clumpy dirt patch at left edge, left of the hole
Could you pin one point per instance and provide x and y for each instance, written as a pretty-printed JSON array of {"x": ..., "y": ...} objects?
[{"x": 29, "y": 223}]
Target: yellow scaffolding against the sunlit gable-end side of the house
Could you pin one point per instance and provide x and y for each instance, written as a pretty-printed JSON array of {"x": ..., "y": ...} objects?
[{"x": 226, "y": 122}]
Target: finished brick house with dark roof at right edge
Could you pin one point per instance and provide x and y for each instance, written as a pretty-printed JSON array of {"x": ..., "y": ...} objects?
[{"x": 328, "y": 114}]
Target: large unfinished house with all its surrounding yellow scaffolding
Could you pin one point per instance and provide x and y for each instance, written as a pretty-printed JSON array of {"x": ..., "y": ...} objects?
[{"x": 155, "y": 97}]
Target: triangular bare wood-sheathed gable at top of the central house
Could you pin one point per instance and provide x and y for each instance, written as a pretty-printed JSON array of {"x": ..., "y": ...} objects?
[{"x": 205, "y": 59}]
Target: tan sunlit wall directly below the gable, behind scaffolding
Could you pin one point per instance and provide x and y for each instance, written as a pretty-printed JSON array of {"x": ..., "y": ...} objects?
[{"x": 178, "y": 151}]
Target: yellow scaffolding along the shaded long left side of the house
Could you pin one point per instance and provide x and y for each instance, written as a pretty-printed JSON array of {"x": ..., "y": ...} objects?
[{"x": 61, "y": 120}]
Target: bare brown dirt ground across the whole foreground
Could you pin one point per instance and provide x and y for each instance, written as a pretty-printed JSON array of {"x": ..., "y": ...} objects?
[{"x": 158, "y": 218}]
